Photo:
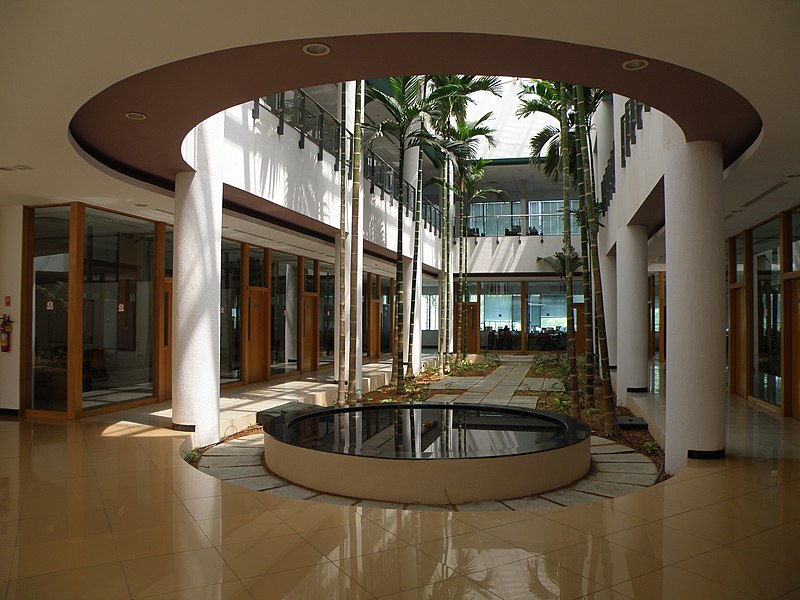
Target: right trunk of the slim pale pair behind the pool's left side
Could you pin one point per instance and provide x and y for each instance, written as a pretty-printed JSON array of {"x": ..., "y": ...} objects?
[{"x": 354, "y": 382}]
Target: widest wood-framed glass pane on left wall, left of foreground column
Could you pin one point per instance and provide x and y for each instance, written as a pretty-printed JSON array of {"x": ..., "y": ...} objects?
[{"x": 117, "y": 309}]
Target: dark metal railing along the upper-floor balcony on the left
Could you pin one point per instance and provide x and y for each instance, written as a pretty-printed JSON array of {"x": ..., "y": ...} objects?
[{"x": 313, "y": 122}]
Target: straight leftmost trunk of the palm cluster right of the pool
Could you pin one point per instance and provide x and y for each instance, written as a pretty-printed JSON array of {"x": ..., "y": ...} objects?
[{"x": 574, "y": 404}]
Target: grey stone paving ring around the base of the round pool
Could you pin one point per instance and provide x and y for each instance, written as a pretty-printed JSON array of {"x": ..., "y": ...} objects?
[{"x": 616, "y": 471}]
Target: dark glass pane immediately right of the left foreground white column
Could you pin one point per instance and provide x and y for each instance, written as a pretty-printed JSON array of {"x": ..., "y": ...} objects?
[{"x": 230, "y": 302}]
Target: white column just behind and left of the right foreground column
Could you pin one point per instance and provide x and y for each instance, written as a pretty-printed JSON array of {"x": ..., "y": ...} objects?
[{"x": 632, "y": 372}]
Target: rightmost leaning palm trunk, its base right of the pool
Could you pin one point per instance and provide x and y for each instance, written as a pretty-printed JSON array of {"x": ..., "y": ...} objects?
[{"x": 609, "y": 403}]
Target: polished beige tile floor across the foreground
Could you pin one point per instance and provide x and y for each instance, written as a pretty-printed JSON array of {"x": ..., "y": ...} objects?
[{"x": 107, "y": 509}]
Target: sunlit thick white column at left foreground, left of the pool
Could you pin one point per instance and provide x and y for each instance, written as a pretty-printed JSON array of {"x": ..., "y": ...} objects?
[{"x": 196, "y": 280}]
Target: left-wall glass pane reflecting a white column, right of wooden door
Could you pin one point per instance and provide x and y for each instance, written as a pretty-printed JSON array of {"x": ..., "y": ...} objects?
[{"x": 284, "y": 312}]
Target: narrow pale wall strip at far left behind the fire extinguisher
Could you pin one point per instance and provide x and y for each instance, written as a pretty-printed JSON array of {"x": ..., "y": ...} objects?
[{"x": 11, "y": 285}]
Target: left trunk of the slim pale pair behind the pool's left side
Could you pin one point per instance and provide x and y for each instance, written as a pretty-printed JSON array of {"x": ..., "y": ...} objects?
[{"x": 341, "y": 390}]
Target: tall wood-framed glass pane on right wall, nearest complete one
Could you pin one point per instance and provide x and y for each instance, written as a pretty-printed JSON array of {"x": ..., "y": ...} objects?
[{"x": 767, "y": 308}]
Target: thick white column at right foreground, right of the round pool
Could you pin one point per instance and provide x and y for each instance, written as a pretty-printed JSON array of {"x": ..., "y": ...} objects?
[{"x": 695, "y": 300}]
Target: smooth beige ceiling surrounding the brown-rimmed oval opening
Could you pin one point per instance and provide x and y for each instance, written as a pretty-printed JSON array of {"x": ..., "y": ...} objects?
[{"x": 57, "y": 55}]
